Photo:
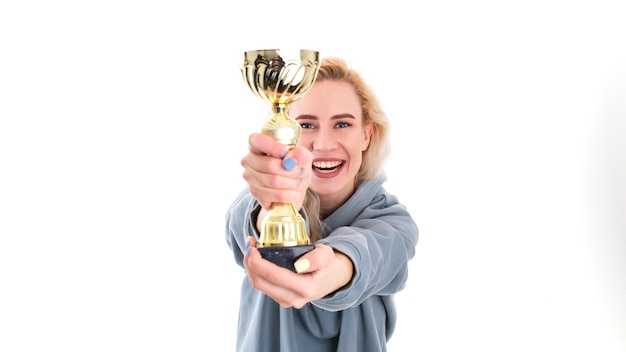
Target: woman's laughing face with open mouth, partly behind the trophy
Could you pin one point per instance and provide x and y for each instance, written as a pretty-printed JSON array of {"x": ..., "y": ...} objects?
[{"x": 332, "y": 129}]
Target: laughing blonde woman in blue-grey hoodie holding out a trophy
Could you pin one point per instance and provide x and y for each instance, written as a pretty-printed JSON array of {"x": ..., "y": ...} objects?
[{"x": 342, "y": 296}]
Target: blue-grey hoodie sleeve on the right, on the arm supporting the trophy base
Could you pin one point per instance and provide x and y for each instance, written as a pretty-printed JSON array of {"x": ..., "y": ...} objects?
[{"x": 380, "y": 242}]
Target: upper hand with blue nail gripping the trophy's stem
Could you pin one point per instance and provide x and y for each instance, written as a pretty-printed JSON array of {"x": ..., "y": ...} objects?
[{"x": 276, "y": 174}]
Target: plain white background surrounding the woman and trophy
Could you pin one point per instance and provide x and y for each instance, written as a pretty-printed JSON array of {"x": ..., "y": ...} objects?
[{"x": 123, "y": 123}]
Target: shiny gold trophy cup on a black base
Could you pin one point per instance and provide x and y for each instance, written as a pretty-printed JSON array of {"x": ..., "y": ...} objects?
[{"x": 281, "y": 79}]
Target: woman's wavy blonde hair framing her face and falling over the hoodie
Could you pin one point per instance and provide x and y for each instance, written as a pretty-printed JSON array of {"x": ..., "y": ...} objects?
[{"x": 375, "y": 155}]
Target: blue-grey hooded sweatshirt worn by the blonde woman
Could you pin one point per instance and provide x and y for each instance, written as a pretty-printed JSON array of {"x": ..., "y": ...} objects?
[{"x": 378, "y": 234}]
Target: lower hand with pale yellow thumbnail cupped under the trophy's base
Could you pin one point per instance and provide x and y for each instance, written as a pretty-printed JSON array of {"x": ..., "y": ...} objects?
[{"x": 320, "y": 272}]
